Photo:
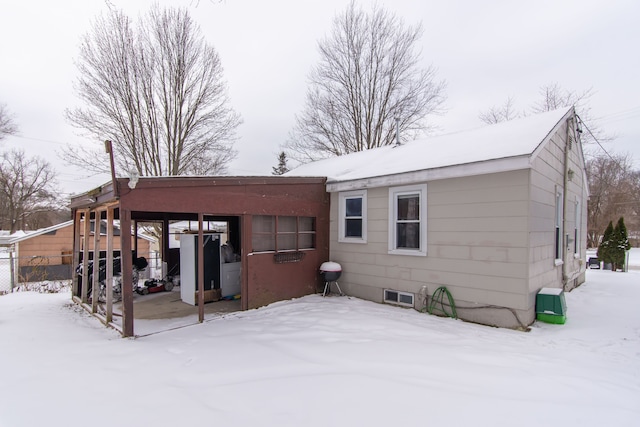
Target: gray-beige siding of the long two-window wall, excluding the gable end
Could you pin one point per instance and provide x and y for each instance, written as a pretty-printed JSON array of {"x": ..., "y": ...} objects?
[{"x": 477, "y": 244}]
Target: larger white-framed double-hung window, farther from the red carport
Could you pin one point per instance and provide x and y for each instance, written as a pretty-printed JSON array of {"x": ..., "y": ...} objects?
[{"x": 408, "y": 220}]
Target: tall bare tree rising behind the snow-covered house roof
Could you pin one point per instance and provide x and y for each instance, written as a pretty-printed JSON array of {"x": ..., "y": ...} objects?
[{"x": 368, "y": 76}]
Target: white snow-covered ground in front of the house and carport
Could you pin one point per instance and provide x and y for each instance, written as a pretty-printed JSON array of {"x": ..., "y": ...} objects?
[{"x": 335, "y": 361}]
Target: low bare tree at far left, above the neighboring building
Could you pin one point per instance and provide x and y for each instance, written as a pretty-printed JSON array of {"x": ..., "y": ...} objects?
[{"x": 27, "y": 188}]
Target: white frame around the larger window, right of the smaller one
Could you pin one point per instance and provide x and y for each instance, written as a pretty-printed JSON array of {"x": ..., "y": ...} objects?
[{"x": 394, "y": 193}]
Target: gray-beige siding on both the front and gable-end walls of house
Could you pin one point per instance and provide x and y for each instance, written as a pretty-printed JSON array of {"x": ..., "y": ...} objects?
[{"x": 490, "y": 237}]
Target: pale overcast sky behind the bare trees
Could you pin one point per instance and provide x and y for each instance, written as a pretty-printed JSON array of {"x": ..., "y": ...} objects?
[{"x": 485, "y": 50}]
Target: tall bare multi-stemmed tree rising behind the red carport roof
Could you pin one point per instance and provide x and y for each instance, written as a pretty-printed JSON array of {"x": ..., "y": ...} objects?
[{"x": 157, "y": 92}]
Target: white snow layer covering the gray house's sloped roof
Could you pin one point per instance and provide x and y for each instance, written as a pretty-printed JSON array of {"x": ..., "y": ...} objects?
[{"x": 514, "y": 138}]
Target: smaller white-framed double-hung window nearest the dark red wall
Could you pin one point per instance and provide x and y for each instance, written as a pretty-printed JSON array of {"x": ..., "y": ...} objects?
[{"x": 352, "y": 212}]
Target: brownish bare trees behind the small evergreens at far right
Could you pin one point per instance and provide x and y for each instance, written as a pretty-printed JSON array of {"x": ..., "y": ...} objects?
[{"x": 614, "y": 187}]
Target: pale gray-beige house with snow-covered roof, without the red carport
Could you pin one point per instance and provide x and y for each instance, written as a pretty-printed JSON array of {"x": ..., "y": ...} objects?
[{"x": 493, "y": 215}]
